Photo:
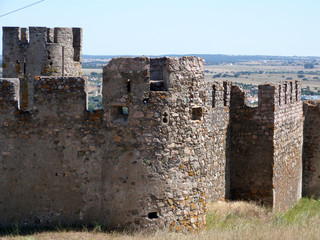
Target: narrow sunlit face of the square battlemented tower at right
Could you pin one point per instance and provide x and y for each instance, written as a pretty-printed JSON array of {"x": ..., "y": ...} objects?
[{"x": 288, "y": 141}]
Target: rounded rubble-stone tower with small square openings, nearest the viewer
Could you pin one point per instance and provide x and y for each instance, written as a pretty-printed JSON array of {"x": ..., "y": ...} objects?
[{"x": 157, "y": 113}]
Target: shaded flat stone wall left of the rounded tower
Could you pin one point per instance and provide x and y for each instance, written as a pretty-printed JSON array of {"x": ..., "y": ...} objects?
[{"x": 49, "y": 168}]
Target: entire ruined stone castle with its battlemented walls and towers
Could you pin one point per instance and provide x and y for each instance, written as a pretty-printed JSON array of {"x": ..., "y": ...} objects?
[{"x": 165, "y": 143}]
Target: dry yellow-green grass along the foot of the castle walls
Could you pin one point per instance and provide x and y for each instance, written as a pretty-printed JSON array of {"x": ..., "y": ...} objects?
[{"x": 235, "y": 220}]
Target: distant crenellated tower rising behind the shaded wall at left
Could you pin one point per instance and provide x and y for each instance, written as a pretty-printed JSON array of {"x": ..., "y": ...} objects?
[{"x": 40, "y": 51}]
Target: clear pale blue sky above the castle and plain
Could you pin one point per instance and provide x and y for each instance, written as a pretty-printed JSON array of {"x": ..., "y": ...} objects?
[{"x": 150, "y": 27}]
